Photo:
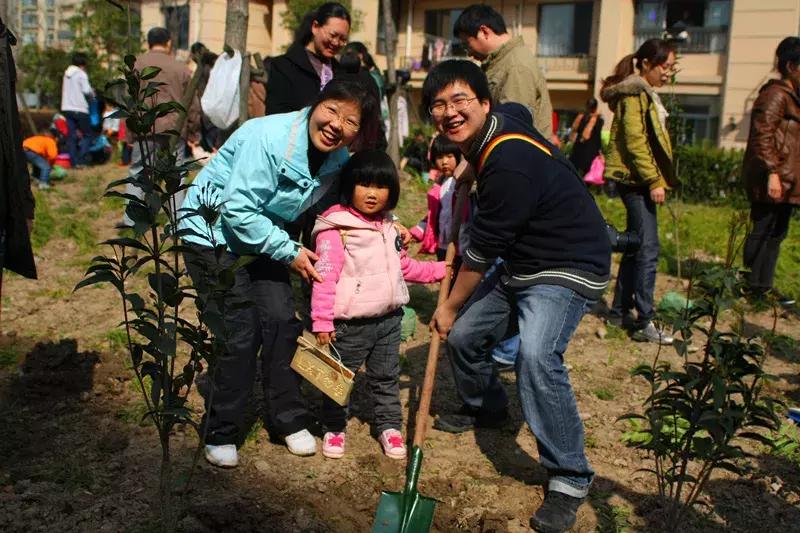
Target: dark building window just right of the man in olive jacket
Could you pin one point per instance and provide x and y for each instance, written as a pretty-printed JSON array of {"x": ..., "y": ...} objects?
[{"x": 565, "y": 29}]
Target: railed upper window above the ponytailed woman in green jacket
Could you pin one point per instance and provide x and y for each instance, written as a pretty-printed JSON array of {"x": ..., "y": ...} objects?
[{"x": 696, "y": 26}]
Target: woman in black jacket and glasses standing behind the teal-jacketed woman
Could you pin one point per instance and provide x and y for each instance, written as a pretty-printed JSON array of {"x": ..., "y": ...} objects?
[{"x": 297, "y": 76}]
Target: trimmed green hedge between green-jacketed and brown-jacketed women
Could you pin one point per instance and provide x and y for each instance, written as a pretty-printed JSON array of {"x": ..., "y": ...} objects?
[{"x": 708, "y": 174}]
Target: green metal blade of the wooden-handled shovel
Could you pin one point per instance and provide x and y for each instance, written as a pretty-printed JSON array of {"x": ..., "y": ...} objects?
[{"x": 407, "y": 511}]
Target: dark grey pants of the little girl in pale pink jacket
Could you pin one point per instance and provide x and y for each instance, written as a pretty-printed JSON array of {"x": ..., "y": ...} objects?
[{"x": 376, "y": 341}]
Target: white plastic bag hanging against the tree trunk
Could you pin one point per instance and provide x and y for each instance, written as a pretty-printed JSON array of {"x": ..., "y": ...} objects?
[{"x": 220, "y": 100}]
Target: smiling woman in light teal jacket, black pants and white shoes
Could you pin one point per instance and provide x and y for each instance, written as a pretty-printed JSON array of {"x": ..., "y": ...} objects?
[{"x": 267, "y": 173}]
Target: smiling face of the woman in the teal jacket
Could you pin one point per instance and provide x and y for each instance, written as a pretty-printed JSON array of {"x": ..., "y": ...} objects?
[{"x": 334, "y": 124}]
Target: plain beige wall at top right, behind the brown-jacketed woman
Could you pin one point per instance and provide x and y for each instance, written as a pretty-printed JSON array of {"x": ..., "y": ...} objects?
[{"x": 757, "y": 26}]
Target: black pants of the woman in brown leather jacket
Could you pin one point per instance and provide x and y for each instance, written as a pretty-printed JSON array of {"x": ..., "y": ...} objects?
[{"x": 763, "y": 244}]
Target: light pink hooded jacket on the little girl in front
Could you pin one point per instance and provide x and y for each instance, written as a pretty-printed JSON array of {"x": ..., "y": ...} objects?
[{"x": 363, "y": 267}]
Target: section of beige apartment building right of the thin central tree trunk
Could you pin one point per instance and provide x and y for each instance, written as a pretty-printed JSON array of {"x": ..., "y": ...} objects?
[{"x": 726, "y": 49}]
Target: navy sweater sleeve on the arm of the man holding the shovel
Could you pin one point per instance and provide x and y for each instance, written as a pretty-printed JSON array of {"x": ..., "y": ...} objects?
[{"x": 505, "y": 201}]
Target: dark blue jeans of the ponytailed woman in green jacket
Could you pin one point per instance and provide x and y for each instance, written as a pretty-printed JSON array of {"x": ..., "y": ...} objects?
[{"x": 636, "y": 278}]
